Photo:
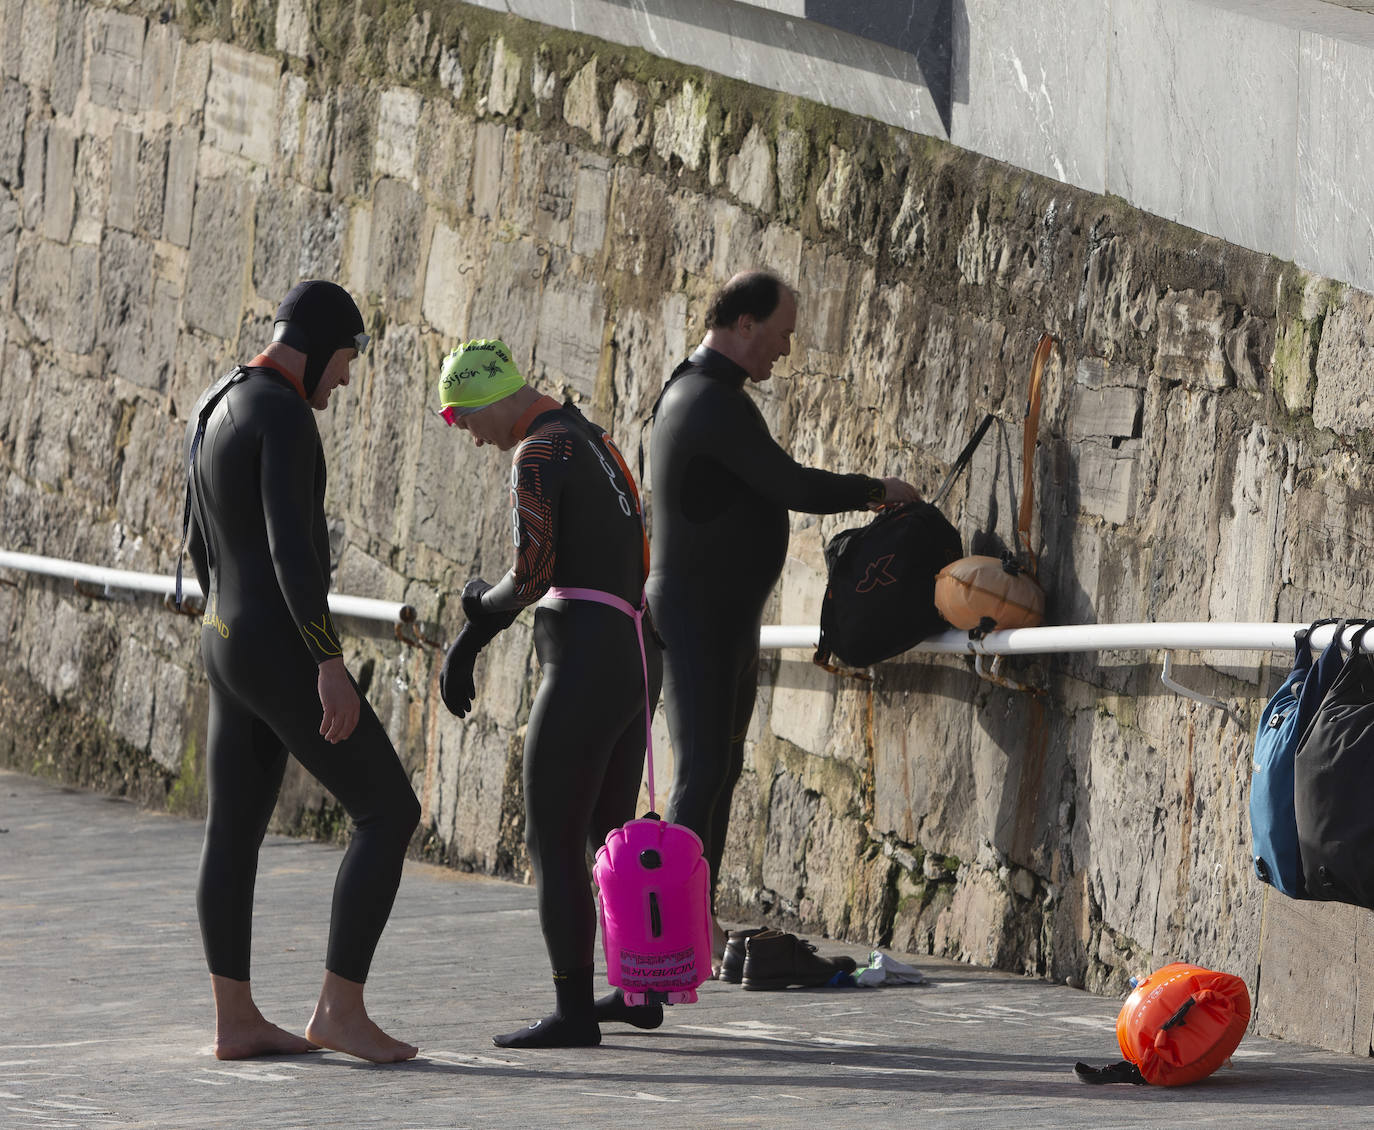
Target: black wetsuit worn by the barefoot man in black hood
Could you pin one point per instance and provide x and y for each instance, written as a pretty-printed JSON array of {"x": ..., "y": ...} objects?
[{"x": 262, "y": 555}]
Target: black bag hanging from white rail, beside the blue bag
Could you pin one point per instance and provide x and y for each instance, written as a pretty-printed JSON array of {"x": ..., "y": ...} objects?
[{"x": 1333, "y": 786}]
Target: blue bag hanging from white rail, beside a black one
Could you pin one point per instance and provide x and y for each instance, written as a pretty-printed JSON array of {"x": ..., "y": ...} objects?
[{"x": 1279, "y": 860}]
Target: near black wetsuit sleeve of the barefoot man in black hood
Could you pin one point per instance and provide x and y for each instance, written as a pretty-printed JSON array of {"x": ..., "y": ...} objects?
[{"x": 291, "y": 457}]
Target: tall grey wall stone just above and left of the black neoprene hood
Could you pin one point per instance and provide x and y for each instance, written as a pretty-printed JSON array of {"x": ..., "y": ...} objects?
[{"x": 221, "y": 247}]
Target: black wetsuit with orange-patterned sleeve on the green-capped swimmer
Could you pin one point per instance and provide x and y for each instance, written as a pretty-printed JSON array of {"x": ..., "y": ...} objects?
[{"x": 576, "y": 524}]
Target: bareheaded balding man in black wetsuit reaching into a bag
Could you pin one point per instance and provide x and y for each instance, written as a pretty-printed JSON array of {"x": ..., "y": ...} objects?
[{"x": 722, "y": 490}]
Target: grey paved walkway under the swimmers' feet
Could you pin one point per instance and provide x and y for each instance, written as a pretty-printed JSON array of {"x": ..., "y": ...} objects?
[{"x": 105, "y": 1017}]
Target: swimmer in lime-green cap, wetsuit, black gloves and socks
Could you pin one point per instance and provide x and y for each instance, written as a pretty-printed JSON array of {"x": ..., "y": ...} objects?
[{"x": 581, "y": 552}]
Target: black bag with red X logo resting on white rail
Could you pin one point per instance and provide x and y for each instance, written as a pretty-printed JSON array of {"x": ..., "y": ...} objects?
[{"x": 881, "y": 597}]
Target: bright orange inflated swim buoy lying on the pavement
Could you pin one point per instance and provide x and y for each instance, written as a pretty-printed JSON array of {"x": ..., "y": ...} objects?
[{"x": 1182, "y": 1023}]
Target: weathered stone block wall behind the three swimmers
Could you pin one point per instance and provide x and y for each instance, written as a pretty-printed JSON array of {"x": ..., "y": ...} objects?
[{"x": 469, "y": 174}]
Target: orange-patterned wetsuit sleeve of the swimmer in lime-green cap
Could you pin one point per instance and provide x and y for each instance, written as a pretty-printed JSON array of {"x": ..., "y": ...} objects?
[{"x": 538, "y": 474}]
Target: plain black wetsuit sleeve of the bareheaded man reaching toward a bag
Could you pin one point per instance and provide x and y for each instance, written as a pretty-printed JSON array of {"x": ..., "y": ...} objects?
[{"x": 741, "y": 442}]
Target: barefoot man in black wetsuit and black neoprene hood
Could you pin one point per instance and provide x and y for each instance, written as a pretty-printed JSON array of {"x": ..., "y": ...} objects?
[{"x": 278, "y": 683}]
